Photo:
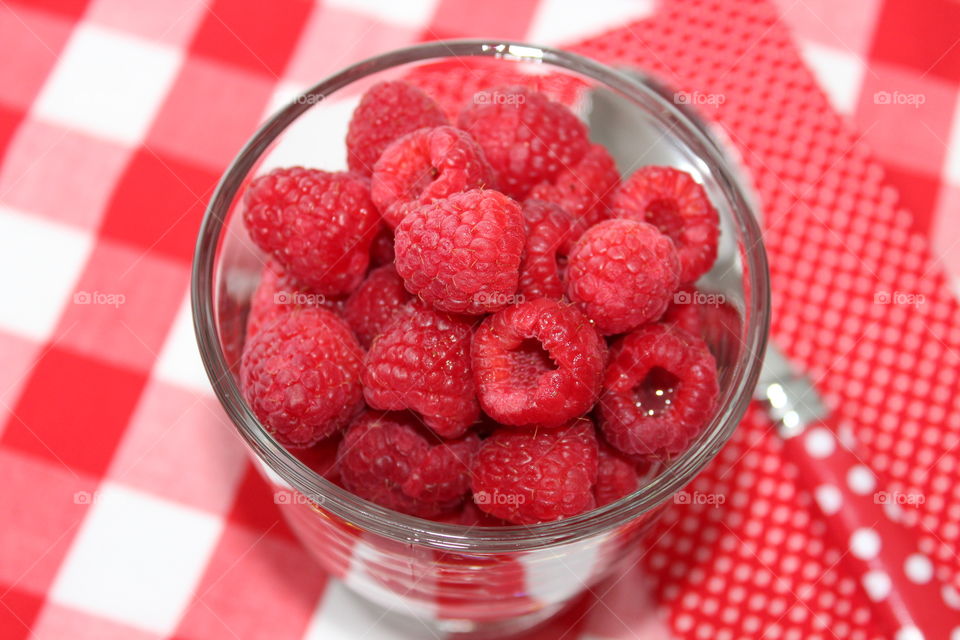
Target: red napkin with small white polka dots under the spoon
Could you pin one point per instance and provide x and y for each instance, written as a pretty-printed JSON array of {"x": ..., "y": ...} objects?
[{"x": 839, "y": 250}]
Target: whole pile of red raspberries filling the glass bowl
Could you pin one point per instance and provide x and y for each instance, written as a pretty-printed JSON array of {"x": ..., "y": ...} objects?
[{"x": 479, "y": 322}]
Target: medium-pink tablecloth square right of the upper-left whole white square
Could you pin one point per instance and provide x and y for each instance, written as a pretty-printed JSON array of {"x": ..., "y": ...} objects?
[{"x": 210, "y": 112}]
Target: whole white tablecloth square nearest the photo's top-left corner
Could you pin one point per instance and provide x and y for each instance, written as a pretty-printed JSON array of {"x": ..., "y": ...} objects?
[{"x": 108, "y": 84}]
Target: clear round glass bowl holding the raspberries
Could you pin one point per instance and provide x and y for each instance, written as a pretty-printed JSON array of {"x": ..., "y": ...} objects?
[{"x": 479, "y": 581}]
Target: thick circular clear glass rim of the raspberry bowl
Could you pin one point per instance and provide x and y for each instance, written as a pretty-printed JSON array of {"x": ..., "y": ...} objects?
[{"x": 283, "y": 466}]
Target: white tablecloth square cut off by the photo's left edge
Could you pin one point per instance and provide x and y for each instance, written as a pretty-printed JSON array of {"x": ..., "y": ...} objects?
[{"x": 41, "y": 261}]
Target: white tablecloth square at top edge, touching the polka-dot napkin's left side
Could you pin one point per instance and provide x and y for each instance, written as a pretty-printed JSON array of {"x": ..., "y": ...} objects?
[{"x": 562, "y": 21}]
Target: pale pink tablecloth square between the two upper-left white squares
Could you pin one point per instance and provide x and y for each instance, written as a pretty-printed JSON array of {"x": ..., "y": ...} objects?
[{"x": 61, "y": 173}]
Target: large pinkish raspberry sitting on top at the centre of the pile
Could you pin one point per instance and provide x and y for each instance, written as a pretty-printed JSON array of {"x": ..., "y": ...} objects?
[{"x": 462, "y": 254}]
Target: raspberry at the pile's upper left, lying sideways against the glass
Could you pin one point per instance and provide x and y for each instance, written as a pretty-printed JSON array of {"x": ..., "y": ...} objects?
[{"x": 318, "y": 225}]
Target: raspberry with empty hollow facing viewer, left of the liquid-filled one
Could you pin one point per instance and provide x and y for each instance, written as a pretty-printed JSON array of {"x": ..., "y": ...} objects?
[{"x": 538, "y": 363}]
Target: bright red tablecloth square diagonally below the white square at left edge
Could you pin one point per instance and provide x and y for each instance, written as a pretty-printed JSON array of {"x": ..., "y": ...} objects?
[{"x": 67, "y": 395}]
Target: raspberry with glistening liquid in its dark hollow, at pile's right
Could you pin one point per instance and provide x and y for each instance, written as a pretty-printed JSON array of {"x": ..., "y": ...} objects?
[{"x": 659, "y": 391}]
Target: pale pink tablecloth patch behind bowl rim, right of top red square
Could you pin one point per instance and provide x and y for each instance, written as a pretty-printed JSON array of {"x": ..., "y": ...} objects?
[{"x": 335, "y": 37}]
